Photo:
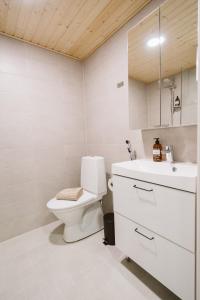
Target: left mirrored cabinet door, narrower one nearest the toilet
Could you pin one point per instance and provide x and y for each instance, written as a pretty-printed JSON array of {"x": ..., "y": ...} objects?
[{"x": 144, "y": 73}]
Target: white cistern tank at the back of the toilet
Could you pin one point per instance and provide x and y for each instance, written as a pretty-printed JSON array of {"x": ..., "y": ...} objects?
[{"x": 93, "y": 175}]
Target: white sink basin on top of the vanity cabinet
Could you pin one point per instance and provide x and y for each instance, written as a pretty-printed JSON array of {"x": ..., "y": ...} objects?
[{"x": 182, "y": 176}]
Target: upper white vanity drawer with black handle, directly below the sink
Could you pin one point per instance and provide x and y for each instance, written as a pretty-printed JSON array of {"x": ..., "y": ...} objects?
[{"x": 166, "y": 211}]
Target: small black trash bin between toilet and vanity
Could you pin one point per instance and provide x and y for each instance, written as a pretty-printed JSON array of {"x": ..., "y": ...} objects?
[{"x": 109, "y": 229}]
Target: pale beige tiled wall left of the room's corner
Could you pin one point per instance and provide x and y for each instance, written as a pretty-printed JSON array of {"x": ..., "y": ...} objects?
[{"x": 41, "y": 132}]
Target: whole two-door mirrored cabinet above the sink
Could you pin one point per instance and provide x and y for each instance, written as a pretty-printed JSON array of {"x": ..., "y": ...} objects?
[{"x": 162, "y": 67}]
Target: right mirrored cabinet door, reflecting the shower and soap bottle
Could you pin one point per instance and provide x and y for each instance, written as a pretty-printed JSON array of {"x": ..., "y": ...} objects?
[{"x": 178, "y": 26}]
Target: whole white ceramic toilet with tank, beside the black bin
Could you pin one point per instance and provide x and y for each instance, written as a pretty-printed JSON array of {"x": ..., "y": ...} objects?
[{"x": 84, "y": 216}]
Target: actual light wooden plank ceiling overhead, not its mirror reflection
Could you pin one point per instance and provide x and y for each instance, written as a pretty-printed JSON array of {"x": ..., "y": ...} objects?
[{"x": 72, "y": 27}]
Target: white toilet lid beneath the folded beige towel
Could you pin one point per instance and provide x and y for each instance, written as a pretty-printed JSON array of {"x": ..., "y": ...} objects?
[{"x": 55, "y": 204}]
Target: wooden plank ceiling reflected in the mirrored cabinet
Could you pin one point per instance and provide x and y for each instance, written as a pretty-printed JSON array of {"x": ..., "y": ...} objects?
[{"x": 178, "y": 25}]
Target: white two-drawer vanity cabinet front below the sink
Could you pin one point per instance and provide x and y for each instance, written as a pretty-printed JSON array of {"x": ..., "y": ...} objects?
[{"x": 155, "y": 226}]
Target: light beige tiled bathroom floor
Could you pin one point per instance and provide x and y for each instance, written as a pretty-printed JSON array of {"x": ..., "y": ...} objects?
[{"x": 38, "y": 265}]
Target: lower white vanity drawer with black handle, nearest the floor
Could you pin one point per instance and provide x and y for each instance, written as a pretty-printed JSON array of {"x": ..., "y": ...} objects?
[{"x": 172, "y": 265}]
